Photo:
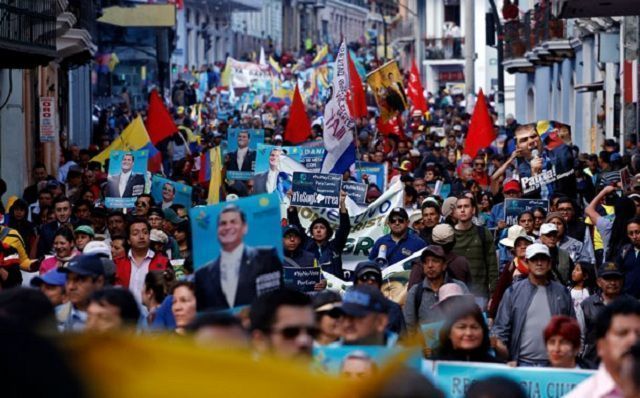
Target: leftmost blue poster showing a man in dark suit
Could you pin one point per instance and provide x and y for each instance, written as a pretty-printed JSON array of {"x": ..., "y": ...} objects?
[{"x": 126, "y": 179}]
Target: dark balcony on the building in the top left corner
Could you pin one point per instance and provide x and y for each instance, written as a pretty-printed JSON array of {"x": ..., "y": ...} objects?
[{"x": 27, "y": 32}]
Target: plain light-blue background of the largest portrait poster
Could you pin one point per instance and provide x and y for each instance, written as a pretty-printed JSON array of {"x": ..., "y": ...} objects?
[{"x": 262, "y": 226}]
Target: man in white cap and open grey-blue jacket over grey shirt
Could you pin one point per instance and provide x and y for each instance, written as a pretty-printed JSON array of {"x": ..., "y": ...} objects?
[{"x": 527, "y": 308}]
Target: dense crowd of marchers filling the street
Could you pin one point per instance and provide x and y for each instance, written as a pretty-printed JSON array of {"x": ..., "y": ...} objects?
[{"x": 556, "y": 287}]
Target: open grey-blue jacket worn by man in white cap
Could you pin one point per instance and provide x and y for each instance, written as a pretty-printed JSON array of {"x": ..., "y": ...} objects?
[{"x": 512, "y": 312}]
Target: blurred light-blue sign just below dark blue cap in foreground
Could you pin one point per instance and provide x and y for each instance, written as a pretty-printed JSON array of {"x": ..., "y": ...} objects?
[{"x": 335, "y": 360}]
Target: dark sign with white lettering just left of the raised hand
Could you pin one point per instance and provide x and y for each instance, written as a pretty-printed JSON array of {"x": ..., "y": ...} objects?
[{"x": 316, "y": 190}]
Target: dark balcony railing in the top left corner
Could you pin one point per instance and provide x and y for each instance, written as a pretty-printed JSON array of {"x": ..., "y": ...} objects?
[{"x": 28, "y": 24}]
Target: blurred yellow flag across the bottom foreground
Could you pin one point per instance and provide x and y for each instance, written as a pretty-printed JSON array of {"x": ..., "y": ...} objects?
[{"x": 127, "y": 366}]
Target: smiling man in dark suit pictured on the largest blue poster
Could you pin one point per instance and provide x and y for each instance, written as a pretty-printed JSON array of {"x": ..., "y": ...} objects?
[{"x": 241, "y": 272}]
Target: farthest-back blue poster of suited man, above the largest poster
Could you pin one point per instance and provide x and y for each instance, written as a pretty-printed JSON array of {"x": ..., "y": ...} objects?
[{"x": 240, "y": 153}]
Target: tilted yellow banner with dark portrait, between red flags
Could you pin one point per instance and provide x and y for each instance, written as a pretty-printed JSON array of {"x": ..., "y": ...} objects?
[{"x": 386, "y": 84}]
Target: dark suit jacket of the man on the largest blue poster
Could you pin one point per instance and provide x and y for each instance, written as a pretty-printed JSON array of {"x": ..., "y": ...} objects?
[{"x": 260, "y": 272}]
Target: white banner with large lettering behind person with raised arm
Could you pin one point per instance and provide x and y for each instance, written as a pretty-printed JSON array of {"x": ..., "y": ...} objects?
[{"x": 367, "y": 225}]
